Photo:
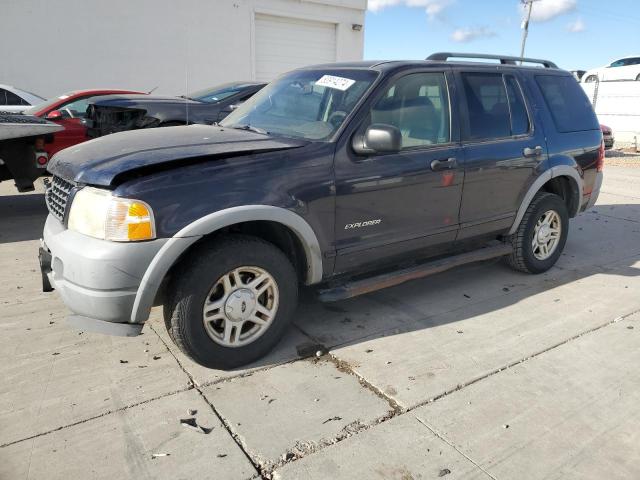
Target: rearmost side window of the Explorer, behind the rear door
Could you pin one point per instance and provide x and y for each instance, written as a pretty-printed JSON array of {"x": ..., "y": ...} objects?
[{"x": 568, "y": 104}]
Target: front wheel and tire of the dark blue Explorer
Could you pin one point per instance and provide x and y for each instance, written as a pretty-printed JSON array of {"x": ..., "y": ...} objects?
[{"x": 205, "y": 278}]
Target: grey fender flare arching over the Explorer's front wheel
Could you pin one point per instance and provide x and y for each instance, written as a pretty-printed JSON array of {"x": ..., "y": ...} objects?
[{"x": 181, "y": 241}]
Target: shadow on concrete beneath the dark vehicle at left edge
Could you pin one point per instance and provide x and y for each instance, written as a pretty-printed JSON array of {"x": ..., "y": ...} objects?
[{"x": 22, "y": 217}]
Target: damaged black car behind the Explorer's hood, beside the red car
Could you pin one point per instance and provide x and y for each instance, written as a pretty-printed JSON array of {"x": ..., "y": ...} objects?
[{"x": 116, "y": 113}]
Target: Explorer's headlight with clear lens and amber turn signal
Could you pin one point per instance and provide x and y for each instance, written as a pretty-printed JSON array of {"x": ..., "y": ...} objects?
[{"x": 97, "y": 213}]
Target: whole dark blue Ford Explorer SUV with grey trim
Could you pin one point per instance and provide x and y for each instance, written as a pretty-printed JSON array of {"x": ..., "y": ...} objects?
[{"x": 350, "y": 177}]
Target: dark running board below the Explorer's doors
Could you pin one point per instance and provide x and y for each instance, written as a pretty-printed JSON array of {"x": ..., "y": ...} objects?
[{"x": 371, "y": 284}]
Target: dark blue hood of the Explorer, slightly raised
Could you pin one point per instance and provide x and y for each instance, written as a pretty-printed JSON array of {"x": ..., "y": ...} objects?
[{"x": 101, "y": 161}]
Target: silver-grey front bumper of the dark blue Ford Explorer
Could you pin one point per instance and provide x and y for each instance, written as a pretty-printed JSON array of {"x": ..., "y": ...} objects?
[{"x": 98, "y": 280}]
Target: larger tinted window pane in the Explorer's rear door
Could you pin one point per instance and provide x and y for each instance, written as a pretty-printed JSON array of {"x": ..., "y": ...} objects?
[{"x": 487, "y": 105}]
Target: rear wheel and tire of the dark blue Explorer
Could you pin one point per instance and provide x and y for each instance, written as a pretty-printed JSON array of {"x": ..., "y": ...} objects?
[{"x": 523, "y": 256}]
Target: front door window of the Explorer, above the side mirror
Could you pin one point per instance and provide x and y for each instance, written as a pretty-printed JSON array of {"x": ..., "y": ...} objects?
[{"x": 418, "y": 105}]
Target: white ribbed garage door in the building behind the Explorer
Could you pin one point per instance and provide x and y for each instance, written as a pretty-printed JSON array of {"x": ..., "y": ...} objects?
[{"x": 283, "y": 44}]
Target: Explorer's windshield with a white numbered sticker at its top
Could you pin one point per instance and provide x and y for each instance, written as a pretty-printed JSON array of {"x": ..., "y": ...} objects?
[{"x": 310, "y": 104}]
